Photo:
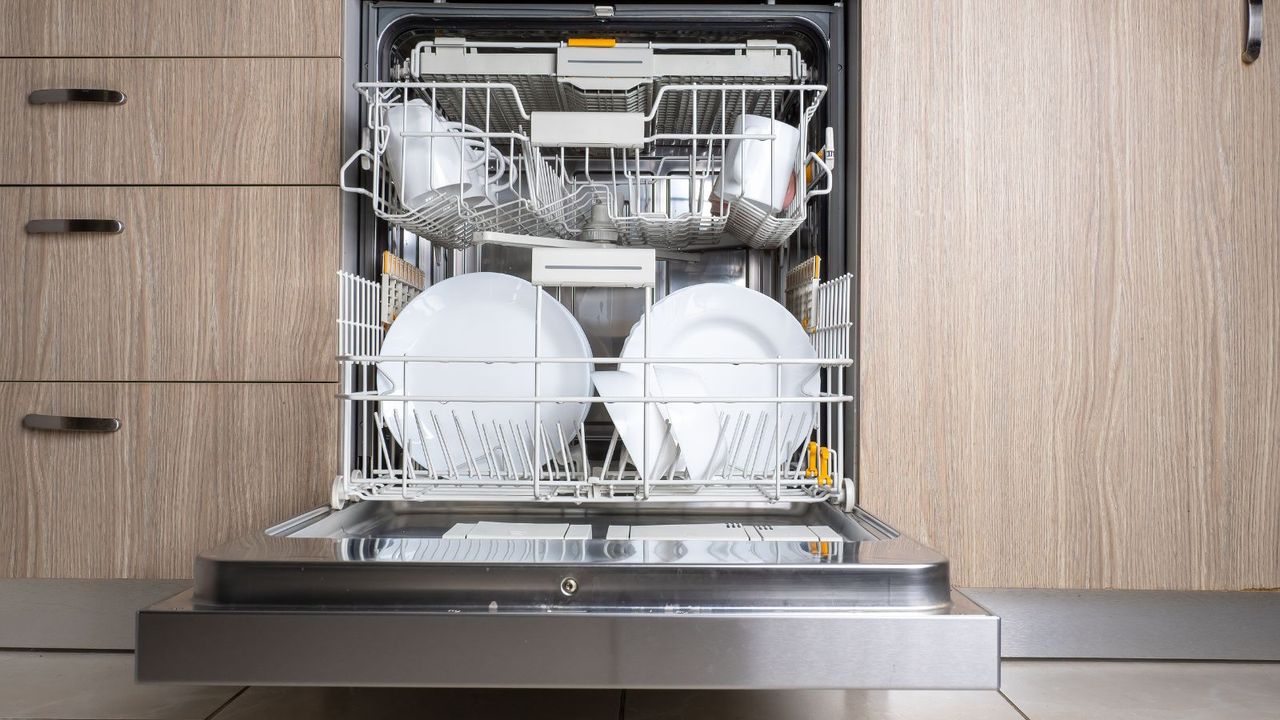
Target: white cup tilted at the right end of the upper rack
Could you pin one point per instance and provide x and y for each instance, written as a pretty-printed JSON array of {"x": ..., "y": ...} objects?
[{"x": 761, "y": 171}]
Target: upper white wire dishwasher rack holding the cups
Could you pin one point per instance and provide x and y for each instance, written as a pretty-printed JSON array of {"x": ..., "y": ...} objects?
[{"x": 657, "y": 186}]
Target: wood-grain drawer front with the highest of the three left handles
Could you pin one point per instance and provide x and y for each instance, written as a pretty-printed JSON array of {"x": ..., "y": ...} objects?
[{"x": 182, "y": 122}]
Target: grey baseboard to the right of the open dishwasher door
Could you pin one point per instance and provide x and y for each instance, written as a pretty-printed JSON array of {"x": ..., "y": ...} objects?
[{"x": 1136, "y": 625}]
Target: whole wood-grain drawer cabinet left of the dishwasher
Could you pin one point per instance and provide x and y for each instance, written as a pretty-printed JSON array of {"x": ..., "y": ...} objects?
[{"x": 216, "y": 303}]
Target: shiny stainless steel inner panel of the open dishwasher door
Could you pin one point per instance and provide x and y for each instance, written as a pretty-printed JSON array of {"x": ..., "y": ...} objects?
[{"x": 394, "y": 554}]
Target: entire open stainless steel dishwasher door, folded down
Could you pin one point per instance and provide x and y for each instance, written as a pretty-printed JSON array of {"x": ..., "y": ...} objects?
[{"x": 376, "y": 595}]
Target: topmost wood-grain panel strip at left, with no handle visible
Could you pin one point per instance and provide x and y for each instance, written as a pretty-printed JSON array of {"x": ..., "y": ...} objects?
[{"x": 175, "y": 29}]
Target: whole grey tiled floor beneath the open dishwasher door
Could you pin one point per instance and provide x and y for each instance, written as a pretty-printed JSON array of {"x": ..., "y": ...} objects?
[{"x": 100, "y": 686}]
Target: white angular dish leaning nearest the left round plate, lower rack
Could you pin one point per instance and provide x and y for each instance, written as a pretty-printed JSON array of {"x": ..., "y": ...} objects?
[{"x": 651, "y": 441}]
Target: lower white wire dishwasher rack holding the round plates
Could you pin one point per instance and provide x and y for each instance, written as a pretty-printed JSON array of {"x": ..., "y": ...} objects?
[{"x": 561, "y": 464}]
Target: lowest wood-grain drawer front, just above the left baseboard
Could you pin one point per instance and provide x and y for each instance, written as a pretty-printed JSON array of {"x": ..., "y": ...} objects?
[{"x": 190, "y": 467}]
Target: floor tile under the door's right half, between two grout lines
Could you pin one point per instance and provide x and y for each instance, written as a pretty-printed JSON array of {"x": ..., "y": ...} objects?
[{"x": 828, "y": 705}]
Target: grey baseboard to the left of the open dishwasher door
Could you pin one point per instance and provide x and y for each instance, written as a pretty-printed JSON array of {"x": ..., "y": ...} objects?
[{"x": 76, "y": 614}]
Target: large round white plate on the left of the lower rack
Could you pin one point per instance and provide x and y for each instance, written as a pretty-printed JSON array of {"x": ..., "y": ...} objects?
[{"x": 482, "y": 316}]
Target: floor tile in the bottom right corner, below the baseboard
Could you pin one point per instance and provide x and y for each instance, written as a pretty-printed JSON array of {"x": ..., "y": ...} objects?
[{"x": 1054, "y": 690}]
